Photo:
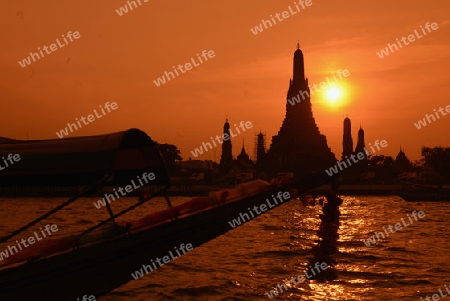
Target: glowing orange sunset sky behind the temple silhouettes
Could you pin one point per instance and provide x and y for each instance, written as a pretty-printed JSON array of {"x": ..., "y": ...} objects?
[{"x": 118, "y": 57}]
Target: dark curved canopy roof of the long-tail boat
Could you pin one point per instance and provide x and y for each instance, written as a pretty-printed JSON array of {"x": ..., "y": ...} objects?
[{"x": 81, "y": 161}]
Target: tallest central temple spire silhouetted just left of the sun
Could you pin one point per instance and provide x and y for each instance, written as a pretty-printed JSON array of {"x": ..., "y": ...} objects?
[{"x": 299, "y": 146}]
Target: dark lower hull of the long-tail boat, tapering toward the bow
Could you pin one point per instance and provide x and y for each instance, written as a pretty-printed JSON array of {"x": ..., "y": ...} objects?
[{"x": 98, "y": 269}]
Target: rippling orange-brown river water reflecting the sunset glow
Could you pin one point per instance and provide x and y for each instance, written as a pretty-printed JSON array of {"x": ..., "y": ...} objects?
[{"x": 248, "y": 261}]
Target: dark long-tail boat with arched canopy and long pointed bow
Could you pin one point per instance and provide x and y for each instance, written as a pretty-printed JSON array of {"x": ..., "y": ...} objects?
[{"x": 103, "y": 257}]
